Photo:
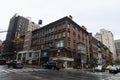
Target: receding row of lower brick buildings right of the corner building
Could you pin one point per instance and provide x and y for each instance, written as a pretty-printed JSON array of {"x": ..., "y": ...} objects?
[{"x": 99, "y": 53}]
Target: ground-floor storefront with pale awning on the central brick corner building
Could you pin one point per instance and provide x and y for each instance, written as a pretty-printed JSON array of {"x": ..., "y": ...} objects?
[{"x": 62, "y": 56}]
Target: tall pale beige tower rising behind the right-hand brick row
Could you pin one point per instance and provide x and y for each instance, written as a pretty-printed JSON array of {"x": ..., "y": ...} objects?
[{"x": 106, "y": 37}]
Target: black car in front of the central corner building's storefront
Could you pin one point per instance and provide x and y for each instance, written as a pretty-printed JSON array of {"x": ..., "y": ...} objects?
[{"x": 51, "y": 65}]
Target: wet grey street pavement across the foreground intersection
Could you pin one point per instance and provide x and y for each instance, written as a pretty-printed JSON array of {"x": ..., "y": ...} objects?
[{"x": 42, "y": 74}]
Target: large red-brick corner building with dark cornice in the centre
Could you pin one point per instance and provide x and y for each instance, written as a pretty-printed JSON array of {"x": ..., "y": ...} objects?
[{"x": 59, "y": 41}]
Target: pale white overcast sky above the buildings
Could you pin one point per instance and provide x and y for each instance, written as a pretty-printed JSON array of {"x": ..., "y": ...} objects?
[{"x": 93, "y": 14}]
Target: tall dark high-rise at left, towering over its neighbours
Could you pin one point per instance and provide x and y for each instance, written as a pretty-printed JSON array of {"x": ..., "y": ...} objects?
[{"x": 17, "y": 24}]
